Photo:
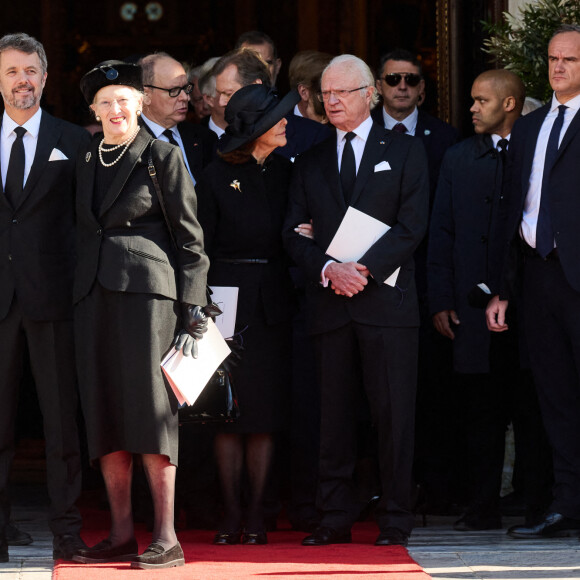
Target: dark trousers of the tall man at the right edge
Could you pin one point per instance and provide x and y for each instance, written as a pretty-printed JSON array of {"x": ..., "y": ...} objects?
[{"x": 552, "y": 325}]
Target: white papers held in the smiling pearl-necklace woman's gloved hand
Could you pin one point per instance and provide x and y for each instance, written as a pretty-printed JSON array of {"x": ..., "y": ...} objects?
[{"x": 188, "y": 376}]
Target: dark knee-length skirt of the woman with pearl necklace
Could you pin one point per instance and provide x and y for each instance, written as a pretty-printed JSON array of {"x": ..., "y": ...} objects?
[{"x": 121, "y": 338}]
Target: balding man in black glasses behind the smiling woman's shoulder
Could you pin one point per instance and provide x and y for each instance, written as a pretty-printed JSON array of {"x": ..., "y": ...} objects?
[{"x": 167, "y": 93}]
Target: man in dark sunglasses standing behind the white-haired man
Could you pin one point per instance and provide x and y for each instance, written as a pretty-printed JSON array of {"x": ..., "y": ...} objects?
[{"x": 401, "y": 84}]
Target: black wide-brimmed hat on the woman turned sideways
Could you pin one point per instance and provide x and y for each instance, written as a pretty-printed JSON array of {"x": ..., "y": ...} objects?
[{"x": 252, "y": 111}]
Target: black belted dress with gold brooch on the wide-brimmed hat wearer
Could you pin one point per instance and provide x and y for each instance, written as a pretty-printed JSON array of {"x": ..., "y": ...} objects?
[{"x": 241, "y": 210}]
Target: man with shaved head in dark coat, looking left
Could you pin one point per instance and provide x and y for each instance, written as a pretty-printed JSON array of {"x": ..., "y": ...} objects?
[{"x": 465, "y": 258}]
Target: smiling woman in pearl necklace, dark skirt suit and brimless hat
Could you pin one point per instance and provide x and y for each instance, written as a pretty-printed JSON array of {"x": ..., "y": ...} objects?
[{"x": 133, "y": 290}]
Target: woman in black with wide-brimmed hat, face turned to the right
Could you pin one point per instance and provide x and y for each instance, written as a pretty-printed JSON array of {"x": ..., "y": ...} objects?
[{"x": 242, "y": 205}]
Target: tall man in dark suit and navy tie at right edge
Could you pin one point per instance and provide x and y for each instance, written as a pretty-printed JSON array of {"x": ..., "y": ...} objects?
[{"x": 544, "y": 258}]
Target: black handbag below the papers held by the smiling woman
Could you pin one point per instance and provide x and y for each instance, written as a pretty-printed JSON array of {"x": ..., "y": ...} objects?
[{"x": 217, "y": 403}]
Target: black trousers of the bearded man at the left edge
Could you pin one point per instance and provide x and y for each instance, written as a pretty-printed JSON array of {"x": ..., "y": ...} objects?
[{"x": 51, "y": 349}]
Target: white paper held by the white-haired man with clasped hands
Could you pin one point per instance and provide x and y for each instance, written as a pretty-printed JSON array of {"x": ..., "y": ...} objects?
[{"x": 357, "y": 232}]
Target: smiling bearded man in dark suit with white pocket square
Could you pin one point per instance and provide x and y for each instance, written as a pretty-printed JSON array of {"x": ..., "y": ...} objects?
[{"x": 38, "y": 154}]
